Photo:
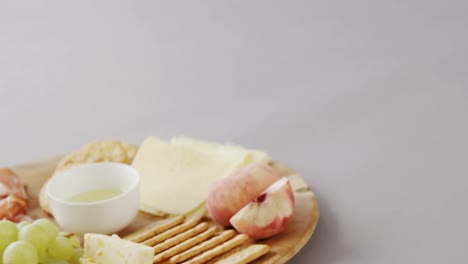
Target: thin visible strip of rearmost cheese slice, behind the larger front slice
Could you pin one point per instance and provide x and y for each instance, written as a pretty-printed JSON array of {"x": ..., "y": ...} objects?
[{"x": 226, "y": 150}]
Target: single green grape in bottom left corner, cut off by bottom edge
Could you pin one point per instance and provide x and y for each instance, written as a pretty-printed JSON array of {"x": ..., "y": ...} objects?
[{"x": 20, "y": 252}]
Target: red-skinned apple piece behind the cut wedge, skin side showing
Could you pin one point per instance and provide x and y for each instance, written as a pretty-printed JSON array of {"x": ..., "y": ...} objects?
[{"x": 228, "y": 195}]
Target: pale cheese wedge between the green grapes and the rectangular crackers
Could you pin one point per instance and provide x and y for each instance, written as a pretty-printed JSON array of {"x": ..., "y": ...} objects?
[{"x": 102, "y": 249}]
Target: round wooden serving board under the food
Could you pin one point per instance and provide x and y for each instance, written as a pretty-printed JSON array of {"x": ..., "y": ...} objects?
[{"x": 283, "y": 246}]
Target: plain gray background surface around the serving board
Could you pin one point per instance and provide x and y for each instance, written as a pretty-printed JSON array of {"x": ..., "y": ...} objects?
[{"x": 366, "y": 99}]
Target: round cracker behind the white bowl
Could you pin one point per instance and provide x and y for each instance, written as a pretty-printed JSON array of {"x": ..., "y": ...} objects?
[{"x": 99, "y": 151}]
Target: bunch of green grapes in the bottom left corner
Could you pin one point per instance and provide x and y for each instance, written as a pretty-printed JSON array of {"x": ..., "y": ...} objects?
[{"x": 37, "y": 242}]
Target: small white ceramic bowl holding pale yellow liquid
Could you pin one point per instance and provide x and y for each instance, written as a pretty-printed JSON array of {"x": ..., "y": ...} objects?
[{"x": 104, "y": 216}]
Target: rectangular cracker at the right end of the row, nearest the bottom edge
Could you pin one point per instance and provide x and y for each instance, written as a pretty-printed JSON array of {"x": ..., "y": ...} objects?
[{"x": 243, "y": 254}]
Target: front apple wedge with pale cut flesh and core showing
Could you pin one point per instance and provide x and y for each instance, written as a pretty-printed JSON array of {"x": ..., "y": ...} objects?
[{"x": 268, "y": 214}]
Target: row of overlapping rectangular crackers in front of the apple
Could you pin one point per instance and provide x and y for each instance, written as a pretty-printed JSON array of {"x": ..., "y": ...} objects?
[{"x": 178, "y": 240}]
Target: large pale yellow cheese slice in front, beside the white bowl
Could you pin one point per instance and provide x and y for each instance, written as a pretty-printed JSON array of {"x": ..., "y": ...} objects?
[{"x": 175, "y": 178}]
